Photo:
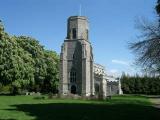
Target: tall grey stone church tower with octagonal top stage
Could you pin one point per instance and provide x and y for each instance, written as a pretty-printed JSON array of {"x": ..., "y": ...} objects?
[{"x": 76, "y": 59}]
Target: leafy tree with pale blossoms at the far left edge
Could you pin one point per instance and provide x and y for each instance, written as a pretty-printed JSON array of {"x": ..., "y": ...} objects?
[{"x": 16, "y": 65}]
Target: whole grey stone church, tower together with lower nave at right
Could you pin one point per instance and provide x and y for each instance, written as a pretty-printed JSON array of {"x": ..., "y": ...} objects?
[{"x": 78, "y": 72}]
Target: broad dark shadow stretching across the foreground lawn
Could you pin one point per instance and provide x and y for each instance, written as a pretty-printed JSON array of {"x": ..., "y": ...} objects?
[{"x": 83, "y": 111}]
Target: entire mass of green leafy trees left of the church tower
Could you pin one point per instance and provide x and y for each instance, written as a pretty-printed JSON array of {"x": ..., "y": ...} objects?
[{"x": 26, "y": 65}]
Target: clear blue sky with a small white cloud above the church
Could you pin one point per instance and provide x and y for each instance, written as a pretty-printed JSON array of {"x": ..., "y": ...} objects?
[{"x": 112, "y": 25}]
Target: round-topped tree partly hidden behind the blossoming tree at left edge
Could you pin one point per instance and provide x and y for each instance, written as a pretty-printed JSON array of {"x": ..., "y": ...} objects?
[{"x": 36, "y": 51}]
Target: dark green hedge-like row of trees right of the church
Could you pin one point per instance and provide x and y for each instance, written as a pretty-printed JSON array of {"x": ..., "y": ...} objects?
[{"x": 140, "y": 84}]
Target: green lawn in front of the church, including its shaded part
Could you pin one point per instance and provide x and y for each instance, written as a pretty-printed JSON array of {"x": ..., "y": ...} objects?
[{"x": 118, "y": 108}]
